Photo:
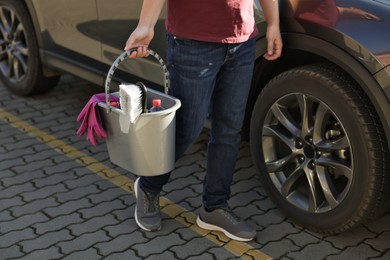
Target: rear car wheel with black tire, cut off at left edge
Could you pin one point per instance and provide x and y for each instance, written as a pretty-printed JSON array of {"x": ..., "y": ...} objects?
[{"x": 20, "y": 66}]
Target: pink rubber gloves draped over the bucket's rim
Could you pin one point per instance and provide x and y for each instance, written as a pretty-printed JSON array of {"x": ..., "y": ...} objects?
[{"x": 91, "y": 121}]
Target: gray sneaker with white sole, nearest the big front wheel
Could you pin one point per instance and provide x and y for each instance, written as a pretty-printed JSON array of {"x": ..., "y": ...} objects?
[{"x": 226, "y": 221}]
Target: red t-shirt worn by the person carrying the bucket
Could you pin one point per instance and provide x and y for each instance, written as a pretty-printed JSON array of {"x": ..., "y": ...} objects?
[{"x": 227, "y": 21}]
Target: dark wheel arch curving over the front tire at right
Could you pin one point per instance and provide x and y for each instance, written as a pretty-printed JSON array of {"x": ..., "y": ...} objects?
[{"x": 301, "y": 49}]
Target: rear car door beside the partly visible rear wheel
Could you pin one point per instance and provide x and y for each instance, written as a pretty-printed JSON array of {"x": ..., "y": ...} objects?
[{"x": 70, "y": 27}]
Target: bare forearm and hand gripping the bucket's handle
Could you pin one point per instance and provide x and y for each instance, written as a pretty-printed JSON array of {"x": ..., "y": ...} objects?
[{"x": 144, "y": 33}]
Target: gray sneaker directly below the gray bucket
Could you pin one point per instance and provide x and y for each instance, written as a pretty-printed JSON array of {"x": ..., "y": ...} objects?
[{"x": 147, "y": 211}]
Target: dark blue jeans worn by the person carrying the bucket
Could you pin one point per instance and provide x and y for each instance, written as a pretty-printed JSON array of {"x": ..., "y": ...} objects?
[{"x": 209, "y": 78}]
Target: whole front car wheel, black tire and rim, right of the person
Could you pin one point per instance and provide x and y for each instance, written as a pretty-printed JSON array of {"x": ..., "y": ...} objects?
[{"x": 320, "y": 149}]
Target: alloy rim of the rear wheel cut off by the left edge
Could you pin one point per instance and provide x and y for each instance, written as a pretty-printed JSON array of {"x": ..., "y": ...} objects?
[{"x": 13, "y": 46}]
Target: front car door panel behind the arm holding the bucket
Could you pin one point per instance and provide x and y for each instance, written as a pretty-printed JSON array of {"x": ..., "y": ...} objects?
[{"x": 117, "y": 20}]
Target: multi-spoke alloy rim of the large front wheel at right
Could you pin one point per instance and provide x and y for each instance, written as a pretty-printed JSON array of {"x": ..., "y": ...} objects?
[{"x": 307, "y": 153}]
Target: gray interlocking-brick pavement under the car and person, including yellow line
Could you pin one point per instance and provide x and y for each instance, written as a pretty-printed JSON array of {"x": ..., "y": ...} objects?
[{"x": 61, "y": 198}]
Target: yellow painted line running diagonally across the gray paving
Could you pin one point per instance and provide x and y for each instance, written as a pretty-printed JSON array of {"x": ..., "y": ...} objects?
[{"x": 188, "y": 219}]
